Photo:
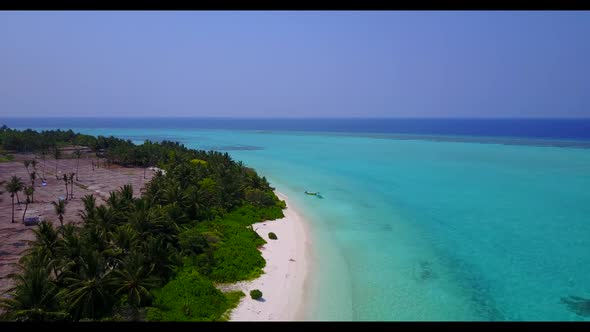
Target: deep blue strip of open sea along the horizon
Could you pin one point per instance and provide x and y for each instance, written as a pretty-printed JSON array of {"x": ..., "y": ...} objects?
[{"x": 561, "y": 129}]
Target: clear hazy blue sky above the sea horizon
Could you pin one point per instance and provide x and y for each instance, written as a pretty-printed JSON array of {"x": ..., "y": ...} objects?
[{"x": 295, "y": 64}]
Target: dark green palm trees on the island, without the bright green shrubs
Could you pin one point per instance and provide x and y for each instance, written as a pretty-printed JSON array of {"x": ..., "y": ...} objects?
[{"x": 128, "y": 247}]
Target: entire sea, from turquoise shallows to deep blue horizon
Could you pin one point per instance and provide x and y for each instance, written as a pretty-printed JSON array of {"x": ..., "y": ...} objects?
[{"x": 442, "y": 219}]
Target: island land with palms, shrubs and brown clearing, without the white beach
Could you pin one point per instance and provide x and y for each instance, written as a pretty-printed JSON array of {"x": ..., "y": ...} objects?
[{"x": 102, "y": 249}]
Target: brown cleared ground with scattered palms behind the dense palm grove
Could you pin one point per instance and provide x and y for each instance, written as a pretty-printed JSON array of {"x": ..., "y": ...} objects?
[{"x": 98, "y": 182}]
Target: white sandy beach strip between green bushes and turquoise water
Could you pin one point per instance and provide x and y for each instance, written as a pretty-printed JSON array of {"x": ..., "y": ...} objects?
[{"x": 287, "y": 264}]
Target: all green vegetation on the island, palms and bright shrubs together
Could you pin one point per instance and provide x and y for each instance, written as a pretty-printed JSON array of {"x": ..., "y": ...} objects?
[{"x": 154, "y": 257}]
